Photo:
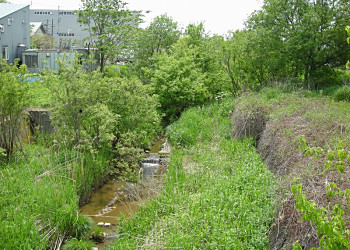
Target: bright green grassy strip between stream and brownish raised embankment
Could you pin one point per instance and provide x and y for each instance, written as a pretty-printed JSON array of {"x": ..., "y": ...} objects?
[{"x": 218, "y": 193}]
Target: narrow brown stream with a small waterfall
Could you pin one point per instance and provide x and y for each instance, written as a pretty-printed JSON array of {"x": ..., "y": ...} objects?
[{"x": 116, "y": 198}]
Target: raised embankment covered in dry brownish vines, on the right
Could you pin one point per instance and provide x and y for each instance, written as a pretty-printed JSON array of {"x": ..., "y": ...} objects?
[{"x": 277, "y": 119}]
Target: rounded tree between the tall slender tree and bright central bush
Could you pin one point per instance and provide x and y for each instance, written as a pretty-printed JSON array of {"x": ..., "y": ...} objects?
[{"x": 157, "y": 37}]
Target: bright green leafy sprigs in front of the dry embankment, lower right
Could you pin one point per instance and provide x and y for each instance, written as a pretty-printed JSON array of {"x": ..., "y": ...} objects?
[{"x": 331, "y": 223}]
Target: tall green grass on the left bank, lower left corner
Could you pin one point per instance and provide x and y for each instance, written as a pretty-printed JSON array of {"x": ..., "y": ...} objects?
[{"x": 39, "y": 196}]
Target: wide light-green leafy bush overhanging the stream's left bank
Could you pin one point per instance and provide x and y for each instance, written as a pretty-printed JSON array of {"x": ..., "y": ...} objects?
[{"x": 91, "y": 111}]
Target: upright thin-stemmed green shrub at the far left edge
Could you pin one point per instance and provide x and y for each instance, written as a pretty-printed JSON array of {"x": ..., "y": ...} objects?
[{"x": 13, "y": 100}]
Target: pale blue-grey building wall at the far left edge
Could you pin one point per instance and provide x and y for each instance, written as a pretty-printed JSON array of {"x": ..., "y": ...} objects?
[{"x": 16, "y": 31}]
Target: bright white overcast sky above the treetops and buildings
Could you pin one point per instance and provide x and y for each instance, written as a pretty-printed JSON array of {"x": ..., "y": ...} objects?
[{"x": 219, "y": 16}]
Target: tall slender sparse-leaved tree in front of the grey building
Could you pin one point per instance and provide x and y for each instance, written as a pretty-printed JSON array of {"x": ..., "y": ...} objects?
[{"x": 111, "y": 27}]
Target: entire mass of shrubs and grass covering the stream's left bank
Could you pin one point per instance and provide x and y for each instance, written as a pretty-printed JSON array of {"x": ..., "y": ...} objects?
[{"x": 101, "y": 126}]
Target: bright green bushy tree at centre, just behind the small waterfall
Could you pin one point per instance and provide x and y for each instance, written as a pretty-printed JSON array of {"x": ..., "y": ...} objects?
[{"x": 178, "y": 80}]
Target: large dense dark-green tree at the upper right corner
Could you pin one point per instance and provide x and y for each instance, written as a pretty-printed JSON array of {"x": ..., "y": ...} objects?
[{"x": 302, "y": 38}]
